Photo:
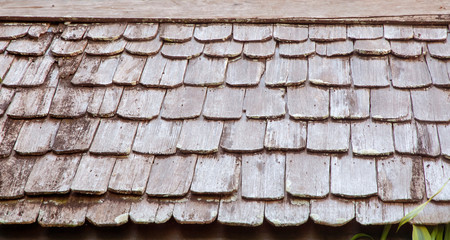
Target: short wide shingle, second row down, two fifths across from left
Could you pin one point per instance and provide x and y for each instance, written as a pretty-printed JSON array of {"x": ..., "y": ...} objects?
[{"x": 185, "y": 50}]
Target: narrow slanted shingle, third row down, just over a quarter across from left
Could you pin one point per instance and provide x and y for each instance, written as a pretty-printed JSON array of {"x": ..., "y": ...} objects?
[{"x": 129, "y": 69}]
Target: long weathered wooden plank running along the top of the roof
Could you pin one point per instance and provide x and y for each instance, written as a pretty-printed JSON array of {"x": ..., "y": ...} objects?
[{"x": 216, "y": 10}]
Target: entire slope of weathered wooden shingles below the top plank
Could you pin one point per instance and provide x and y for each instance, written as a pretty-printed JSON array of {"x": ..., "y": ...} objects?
[{"x": 218, "y": 121}]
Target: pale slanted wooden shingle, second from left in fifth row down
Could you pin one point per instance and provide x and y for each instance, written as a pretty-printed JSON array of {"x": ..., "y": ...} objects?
[{"x": 36, "y": 137}]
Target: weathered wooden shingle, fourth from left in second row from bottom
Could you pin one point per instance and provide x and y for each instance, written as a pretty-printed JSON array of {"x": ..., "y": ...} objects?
[{"x": 130, "y": 174}]
